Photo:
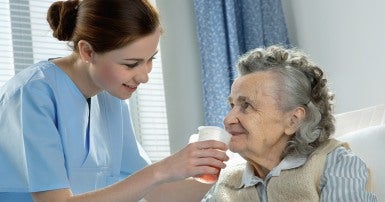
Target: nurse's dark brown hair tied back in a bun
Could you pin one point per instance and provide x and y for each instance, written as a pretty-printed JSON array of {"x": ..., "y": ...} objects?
[{"x": 105, "y": 24}]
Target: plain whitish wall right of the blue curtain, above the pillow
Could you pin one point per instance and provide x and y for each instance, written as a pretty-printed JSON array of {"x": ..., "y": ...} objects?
[{"x": 347, "y": 38}]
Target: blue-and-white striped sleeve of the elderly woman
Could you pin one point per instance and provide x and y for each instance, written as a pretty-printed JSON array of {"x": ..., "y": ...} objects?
[{"x": 345, "y": 178}]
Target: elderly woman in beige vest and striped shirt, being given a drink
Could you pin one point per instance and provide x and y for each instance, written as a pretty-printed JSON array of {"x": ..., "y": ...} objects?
[{"x": 281, "y": 122}]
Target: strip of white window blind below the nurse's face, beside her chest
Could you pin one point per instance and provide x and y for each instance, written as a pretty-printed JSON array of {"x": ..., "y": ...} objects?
[{"x": 150, "y": 120}]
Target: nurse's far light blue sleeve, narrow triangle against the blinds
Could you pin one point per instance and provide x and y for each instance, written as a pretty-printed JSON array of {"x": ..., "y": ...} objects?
[{"x": 134, "y": 157}]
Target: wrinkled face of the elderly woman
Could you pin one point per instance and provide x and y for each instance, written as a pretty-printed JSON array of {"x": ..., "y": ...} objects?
[{"x": 257, "y": 126}]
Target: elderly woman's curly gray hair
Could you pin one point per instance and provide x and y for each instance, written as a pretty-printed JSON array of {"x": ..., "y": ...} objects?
[{"x": 300, "y": 83}]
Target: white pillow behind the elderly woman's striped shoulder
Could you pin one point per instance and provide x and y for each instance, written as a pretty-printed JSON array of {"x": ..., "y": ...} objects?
[{"x": 369, "y": 144}]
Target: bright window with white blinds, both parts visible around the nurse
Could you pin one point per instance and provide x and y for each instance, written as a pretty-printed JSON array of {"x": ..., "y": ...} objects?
[{"x": 26, "y": 38}]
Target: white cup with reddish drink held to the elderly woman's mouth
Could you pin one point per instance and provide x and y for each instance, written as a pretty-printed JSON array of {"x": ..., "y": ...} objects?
[{"x": 210, "y": 133}]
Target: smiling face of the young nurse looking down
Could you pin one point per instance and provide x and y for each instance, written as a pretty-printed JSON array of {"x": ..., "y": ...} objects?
[{"x": 120, "y": 71}]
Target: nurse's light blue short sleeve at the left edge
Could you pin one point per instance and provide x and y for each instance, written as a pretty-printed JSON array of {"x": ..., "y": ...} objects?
[{"x": 31, "y": 153}]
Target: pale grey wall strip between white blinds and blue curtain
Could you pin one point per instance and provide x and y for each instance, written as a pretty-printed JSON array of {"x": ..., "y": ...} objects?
[{"x": 181, "y": 70}]
